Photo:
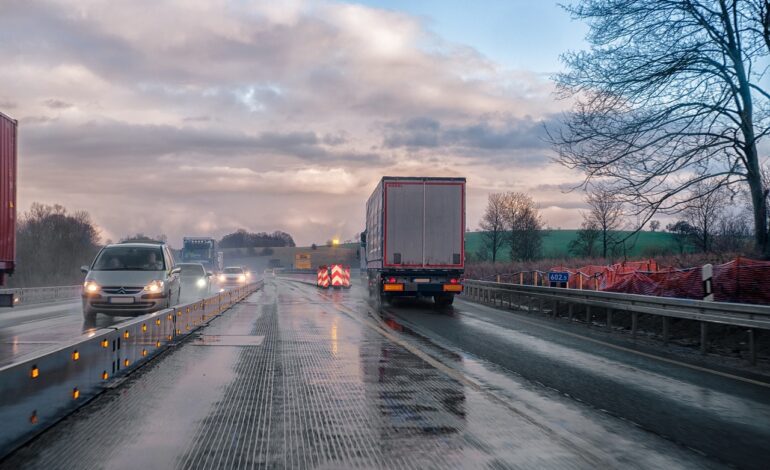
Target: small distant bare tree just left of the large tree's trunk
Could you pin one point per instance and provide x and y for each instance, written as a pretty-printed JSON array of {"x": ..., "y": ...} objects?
[{"x": 703, "y": 214}]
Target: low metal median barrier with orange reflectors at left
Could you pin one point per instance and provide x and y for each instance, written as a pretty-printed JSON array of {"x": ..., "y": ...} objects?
[{"x": 40, "y": 389}]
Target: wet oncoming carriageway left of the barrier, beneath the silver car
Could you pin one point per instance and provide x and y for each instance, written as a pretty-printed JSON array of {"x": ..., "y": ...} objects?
[{"x": 32, "y": 328}]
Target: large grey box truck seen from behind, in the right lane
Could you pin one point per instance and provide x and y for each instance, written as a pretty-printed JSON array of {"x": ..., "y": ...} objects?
[{"x": 415, "y": 238}]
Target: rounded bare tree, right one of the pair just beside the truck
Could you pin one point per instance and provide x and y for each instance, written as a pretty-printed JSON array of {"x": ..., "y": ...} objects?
[{"x": 525, "y": 226}]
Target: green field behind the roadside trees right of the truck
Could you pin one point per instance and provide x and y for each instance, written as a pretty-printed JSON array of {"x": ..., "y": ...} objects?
[{"x": 556, "y": 243}]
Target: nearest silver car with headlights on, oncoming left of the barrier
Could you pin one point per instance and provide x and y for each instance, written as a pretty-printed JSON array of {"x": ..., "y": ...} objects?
[{"x": 130, "y": 279}]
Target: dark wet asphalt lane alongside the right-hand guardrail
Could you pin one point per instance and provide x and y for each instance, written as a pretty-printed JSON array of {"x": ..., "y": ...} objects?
[{"x": 722, "y": 414}]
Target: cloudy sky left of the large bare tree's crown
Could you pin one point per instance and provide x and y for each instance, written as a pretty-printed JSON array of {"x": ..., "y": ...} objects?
[{"x": 197, "y": 117}]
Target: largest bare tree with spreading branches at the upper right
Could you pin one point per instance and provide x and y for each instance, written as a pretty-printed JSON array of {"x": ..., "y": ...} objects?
[{"x": 670, "y": 94}]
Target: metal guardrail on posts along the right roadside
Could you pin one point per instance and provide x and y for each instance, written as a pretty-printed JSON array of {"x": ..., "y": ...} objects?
[{"x": 550, "y": 299}]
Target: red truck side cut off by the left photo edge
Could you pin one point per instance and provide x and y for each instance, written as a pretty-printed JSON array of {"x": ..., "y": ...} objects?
[{"x": 8, "y": 147}]
